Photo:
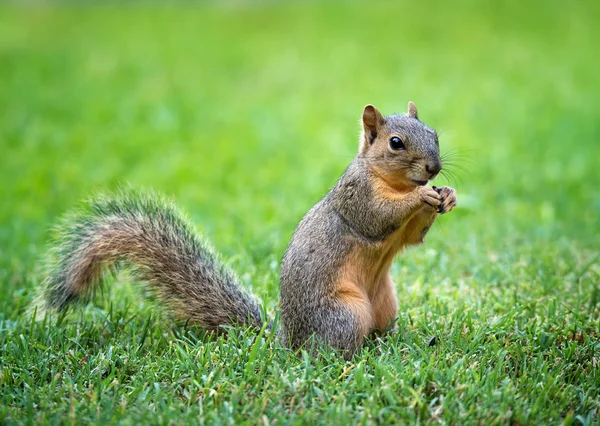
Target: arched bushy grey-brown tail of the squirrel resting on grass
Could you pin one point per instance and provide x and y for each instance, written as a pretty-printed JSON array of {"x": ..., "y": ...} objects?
[{"x": 147, "y": 233}]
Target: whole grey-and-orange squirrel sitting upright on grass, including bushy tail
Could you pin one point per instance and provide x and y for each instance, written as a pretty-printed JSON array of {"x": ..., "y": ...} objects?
[{"x": 335, "y": 283}]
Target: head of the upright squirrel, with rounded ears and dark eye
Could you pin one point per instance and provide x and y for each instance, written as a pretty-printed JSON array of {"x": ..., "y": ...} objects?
[{"x": 399, "y": 148}]
